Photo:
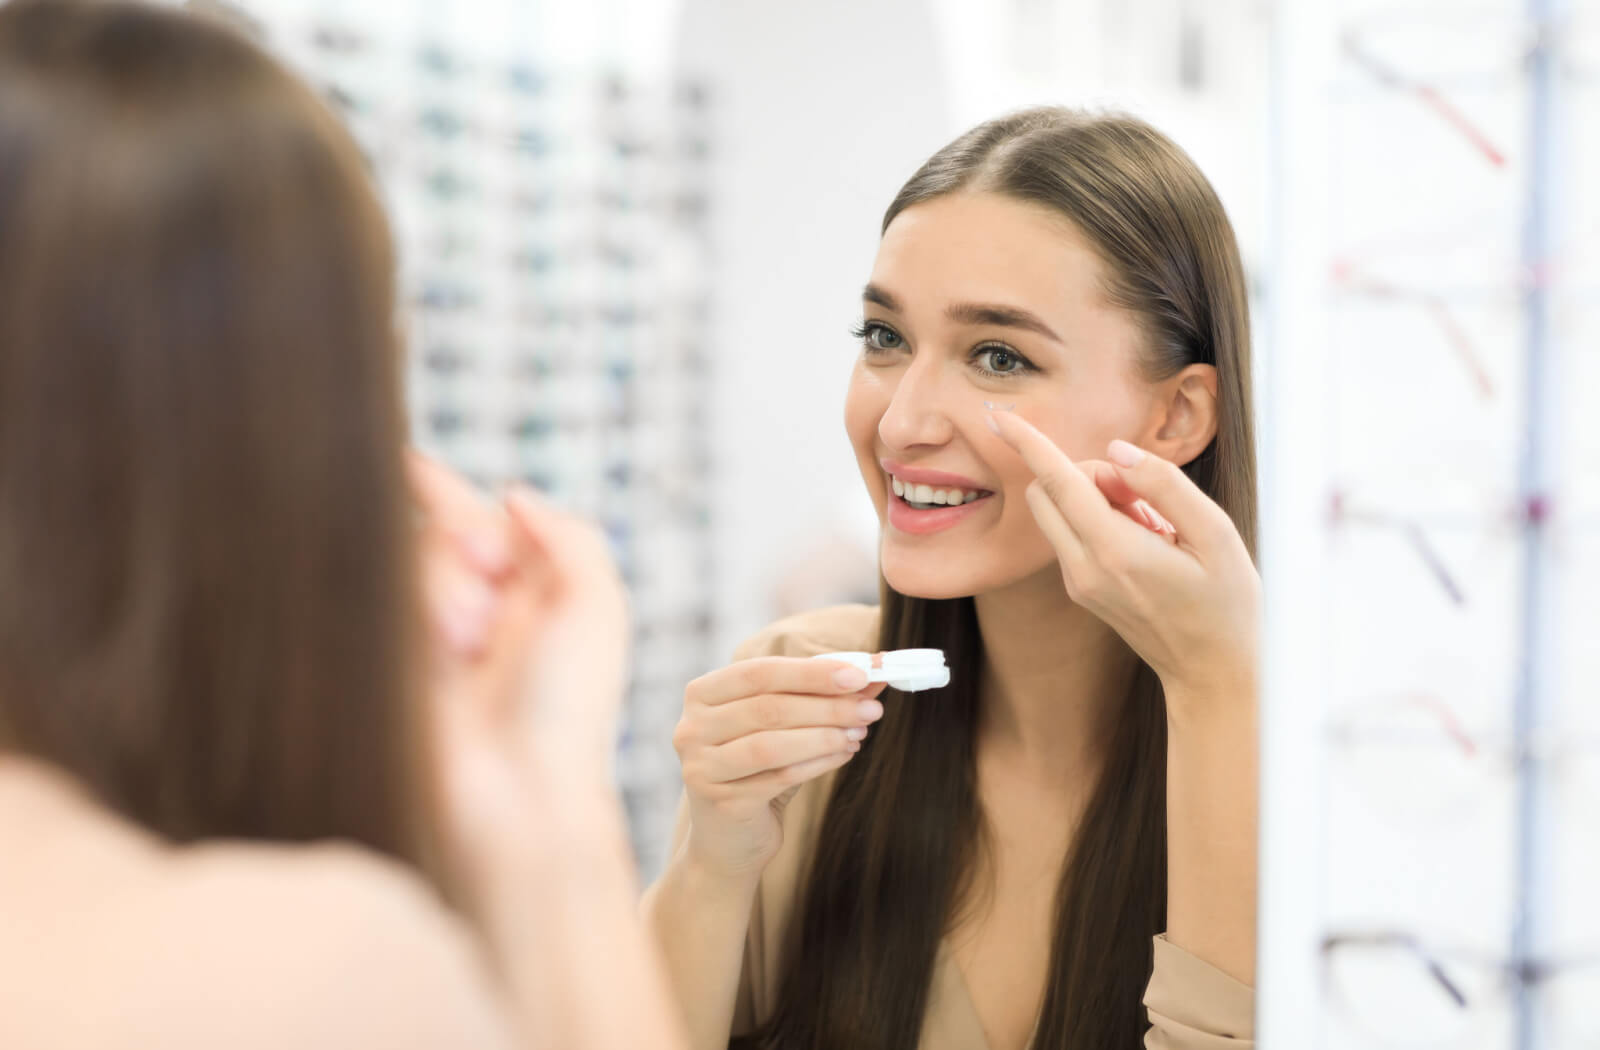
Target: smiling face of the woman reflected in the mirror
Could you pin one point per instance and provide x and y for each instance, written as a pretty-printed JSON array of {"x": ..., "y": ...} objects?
[{"x": 983, "y": 299}]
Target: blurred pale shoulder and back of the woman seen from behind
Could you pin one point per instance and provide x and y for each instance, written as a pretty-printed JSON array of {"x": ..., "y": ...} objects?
[{"x": 228, "y": 944}]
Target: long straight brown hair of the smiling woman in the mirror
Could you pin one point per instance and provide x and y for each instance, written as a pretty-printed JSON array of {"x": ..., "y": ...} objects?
[{"x": 903, "y": 828}]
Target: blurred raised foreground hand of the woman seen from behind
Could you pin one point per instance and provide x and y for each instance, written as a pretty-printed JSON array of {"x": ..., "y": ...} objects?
[{"x": 527, "y": 657}]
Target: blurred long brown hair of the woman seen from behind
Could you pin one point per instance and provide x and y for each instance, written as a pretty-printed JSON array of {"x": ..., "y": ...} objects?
[{"x": 207, "y": 585}]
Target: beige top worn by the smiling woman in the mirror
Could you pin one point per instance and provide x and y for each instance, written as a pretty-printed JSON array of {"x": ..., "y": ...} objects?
[{"x": 1193, "y": 1006}]
